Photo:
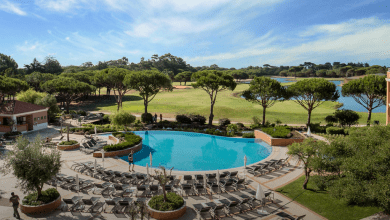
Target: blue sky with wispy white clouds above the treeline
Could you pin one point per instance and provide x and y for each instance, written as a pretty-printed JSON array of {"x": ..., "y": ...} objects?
[{"x": 202, "y": 32}]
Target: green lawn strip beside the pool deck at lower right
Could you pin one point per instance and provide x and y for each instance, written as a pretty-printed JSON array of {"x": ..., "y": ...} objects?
[{"x": 322, "y": 203}]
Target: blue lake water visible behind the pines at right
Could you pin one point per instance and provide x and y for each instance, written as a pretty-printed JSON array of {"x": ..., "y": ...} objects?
[{"x": 349, "y": 102}]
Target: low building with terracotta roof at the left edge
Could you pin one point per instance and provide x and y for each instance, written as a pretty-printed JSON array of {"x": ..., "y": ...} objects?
[{"x": 22, "y": 116}]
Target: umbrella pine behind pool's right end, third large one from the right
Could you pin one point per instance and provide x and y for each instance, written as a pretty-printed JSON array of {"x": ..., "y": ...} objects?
[{"x": 265, "y": 92}]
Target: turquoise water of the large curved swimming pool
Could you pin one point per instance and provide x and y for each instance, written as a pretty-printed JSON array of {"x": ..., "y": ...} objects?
[{"x": 188, "y": 151}]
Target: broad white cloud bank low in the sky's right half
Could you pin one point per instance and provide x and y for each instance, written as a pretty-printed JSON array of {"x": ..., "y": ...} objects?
[{"x": 345, "y": 41}]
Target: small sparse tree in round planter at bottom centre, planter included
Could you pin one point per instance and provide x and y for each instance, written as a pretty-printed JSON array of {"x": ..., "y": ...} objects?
[{"x": 167, "y": 205}]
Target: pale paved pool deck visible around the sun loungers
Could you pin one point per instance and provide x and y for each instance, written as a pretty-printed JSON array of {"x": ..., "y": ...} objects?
[{"x": 271, "y": 181}]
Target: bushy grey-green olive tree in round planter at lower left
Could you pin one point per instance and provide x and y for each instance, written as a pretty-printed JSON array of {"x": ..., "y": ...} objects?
[{"x": 33, "y": 165}]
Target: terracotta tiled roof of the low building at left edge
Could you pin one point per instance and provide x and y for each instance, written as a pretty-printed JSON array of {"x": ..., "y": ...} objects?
[{"x": 16, "y": 107}]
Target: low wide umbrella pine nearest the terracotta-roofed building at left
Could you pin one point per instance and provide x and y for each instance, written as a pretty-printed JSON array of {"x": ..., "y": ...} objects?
[{"x": 67, "y": 89}]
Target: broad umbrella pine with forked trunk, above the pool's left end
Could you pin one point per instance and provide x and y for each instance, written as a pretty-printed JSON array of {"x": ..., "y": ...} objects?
[{"x": 148, "y": 83}]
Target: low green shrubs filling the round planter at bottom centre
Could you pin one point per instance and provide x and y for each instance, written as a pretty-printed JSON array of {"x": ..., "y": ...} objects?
[{"x": 174, "y": 202}]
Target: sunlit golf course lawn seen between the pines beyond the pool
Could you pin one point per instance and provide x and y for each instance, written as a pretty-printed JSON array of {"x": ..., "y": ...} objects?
[{"x": 197, "y": 101}]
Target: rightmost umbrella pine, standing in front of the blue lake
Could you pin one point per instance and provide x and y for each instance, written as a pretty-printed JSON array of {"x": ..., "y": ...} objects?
[{"x": 369, "y": 91}]
